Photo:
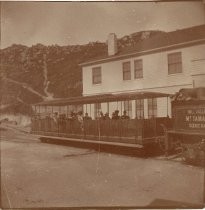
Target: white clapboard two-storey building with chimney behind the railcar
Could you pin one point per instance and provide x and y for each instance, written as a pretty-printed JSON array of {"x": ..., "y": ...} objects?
[{"x": 163, "y": 63}]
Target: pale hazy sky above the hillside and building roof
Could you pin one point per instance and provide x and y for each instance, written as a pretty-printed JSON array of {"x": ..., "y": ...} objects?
[{"x": 68, "y": 23}]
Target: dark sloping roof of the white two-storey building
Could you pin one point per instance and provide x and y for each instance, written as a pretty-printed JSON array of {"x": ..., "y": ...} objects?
[{"x": 162, "y": 41}]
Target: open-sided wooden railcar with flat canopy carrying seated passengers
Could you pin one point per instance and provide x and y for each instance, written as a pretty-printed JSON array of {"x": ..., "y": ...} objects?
[{"x": 136, "y": 131}]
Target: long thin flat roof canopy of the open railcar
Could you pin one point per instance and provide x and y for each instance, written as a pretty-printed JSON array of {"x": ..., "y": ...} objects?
[{"x": 102, "y": 98}]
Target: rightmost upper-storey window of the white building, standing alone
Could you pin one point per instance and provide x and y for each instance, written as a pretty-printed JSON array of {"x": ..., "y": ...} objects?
[{"x": 174, "y": 63}]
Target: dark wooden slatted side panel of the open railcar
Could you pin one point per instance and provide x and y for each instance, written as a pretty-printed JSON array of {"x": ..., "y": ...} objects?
[{"x": 133, "y": 131}]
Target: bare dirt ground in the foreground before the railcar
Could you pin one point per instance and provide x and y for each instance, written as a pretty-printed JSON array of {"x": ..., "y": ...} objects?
[{"x": 35, "y": 174}]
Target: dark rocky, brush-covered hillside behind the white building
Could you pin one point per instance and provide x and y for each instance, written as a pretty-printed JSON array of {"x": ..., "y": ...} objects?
[{"x": 23, "y": 70}]
